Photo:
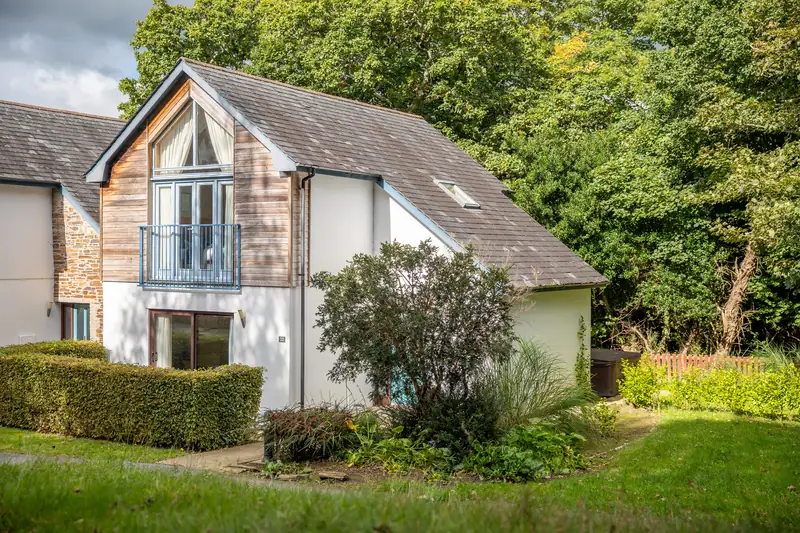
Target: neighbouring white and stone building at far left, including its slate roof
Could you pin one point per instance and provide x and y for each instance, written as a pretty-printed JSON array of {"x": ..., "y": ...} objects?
[{"x": 50, "y": 243}]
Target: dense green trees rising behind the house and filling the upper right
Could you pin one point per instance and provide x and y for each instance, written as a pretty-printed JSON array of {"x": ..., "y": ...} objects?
[{"x": 660, "y": 139}]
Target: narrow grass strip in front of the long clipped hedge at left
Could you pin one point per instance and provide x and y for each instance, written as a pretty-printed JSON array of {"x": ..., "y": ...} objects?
[{"x": 14, "y": 440}]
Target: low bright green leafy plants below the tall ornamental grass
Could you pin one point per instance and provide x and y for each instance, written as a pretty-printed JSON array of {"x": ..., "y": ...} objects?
[{"x": 527, "y": 453}]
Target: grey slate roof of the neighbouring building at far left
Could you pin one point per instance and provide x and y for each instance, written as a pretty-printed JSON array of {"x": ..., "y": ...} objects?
[{"x": 54, "y": 146}]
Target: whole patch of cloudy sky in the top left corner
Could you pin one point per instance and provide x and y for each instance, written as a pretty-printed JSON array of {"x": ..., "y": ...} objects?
[{"x": 68, "y": 54}]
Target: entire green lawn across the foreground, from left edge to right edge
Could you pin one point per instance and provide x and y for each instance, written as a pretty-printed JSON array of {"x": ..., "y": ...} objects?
[{"x": 695, "y": 472}]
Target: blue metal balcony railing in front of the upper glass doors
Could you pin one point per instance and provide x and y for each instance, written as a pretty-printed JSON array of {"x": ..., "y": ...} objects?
[{"x": 190, "y": 256}]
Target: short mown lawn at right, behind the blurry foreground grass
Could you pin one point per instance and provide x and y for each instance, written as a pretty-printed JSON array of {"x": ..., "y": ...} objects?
[{"x": 716, "y": 465}]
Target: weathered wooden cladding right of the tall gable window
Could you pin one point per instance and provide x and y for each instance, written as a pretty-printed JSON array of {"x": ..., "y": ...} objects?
[{"x": 263, "y": 208}]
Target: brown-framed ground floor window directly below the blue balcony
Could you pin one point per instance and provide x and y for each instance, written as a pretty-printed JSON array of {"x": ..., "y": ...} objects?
[{"x": 188, "y": 340}]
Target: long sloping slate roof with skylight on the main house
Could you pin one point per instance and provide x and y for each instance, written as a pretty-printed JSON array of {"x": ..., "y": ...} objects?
[{"x": 328, "y": 132}]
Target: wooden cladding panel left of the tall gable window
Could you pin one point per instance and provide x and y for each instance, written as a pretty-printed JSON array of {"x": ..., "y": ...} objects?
[{"x": 123, "y": 209}]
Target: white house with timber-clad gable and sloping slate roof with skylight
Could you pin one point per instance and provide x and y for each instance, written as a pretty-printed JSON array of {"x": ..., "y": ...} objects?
[{"x": 226, "y": 191}]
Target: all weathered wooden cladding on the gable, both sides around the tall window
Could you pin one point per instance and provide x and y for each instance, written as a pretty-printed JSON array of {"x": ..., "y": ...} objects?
[{"x": 265, "y": 204}]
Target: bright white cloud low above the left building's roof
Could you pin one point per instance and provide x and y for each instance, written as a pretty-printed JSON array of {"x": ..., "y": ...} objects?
[{"x": 75, "y": 88}]
